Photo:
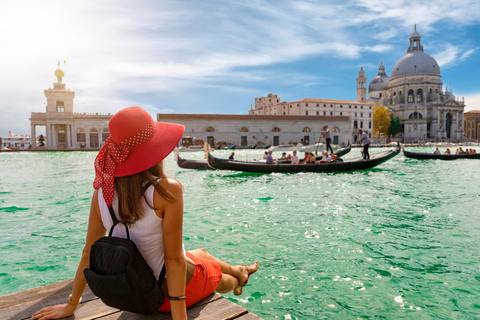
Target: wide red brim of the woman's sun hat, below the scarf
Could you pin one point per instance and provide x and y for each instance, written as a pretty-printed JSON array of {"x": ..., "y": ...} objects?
[{"x": 153, "y": 150}]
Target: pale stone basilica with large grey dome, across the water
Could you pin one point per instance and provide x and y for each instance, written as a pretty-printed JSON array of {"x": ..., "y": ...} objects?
[{"x": 414, "y": 94}]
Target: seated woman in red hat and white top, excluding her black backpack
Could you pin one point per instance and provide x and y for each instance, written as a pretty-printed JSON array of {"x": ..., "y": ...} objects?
[{"x": 129, "y": 176}]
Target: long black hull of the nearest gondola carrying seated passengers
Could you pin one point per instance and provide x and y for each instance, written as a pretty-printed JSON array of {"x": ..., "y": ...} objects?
[{"x": 225, "y": 164}]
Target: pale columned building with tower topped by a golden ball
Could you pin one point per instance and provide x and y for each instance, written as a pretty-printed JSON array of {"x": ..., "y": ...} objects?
[{"x": 66, "y": 129}]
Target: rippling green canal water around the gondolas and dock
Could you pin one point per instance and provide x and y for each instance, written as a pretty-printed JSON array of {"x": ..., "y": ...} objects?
[{"x": 401, "y": 241}]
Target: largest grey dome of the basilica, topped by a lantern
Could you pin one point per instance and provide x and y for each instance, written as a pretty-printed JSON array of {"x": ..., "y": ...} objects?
[{"x": 415, "y": 61}]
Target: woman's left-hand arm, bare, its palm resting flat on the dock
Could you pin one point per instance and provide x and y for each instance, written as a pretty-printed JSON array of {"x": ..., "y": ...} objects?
[{"x": 94, "y": 232}]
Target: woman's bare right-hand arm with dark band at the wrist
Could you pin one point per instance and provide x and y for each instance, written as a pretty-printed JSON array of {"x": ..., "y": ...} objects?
[{"x": 173, "y": 245}]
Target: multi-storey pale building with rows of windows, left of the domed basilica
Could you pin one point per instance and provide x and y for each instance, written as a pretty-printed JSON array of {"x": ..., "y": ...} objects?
[{"x": 360, "y": 113}]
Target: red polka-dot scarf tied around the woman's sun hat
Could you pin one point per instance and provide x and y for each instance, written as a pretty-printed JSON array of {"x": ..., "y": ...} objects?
[{"x": 113, "y": 154}]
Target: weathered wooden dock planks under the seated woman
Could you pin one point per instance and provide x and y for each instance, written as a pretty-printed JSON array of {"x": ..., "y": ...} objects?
[{"x": 22, "y": 305}]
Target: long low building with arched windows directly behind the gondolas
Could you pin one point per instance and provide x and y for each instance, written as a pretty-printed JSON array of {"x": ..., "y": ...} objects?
[{"x": 258, "y": 130}]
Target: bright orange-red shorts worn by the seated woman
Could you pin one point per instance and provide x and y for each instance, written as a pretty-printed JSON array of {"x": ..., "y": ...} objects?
[{"x": 206, "y": 277}]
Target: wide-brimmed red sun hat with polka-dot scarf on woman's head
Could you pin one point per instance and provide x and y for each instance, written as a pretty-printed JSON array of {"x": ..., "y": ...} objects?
[{"x": 136, "y": 143}]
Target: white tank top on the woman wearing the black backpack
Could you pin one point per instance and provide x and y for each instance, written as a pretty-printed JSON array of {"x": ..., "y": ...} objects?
[{"x": 147, "y": 232}]
